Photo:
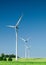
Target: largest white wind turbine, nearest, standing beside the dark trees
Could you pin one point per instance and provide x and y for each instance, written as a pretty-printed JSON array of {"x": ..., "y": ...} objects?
[{"x": 16, "y": 29}]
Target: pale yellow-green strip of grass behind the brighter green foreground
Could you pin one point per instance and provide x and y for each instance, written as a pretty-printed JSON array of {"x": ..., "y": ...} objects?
[{"x": 32, "y": 60}]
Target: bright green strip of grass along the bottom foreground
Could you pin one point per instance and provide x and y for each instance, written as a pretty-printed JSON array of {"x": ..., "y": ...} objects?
[{"x": 22, "y": 63}]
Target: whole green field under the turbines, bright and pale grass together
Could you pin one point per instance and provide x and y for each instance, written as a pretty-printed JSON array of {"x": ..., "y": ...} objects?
[{"x": 33, "y": 61}]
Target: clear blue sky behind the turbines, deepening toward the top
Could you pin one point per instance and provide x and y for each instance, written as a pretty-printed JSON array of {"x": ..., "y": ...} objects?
[{"x": 33, "y": 25}]
